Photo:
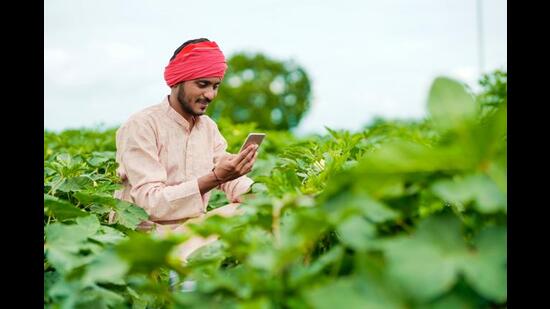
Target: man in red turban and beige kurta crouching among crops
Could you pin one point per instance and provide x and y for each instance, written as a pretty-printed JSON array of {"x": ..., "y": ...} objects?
[{"x": 171, "y": 155}]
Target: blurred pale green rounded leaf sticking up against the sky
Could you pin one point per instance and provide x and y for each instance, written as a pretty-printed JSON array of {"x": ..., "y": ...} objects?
[{"x": 449, "y": 104}]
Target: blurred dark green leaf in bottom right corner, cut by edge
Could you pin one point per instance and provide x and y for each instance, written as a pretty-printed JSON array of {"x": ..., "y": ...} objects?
[{"x": 486, "y": 269}]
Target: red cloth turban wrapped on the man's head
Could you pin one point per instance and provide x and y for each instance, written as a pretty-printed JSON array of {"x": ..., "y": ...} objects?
[{"x": 204, "y": 59}]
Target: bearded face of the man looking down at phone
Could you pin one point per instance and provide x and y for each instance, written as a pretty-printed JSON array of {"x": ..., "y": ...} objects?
[{"x": 195, "y": 95}]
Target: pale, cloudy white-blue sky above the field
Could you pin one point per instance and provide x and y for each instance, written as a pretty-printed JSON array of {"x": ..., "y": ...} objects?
[{"x": 104, "y": 60}]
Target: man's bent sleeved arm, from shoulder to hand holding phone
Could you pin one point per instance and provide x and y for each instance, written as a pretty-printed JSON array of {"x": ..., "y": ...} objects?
[{"x": 137, "y": 152}]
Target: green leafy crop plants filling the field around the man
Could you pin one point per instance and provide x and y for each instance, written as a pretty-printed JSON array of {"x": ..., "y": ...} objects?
[{"x": 399, "y": 215}]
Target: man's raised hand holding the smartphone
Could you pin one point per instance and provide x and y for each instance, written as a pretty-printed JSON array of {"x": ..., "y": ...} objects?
[{"x": 234, "y": 166}]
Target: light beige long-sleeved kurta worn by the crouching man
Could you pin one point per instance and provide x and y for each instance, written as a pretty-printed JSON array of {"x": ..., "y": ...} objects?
[{"x": 160, "y": 160}]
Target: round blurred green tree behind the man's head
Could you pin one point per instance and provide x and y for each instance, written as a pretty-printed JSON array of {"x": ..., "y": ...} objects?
[{"x": 273, "y": 94}]
